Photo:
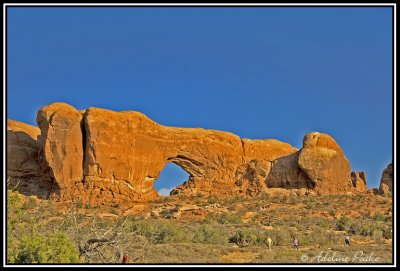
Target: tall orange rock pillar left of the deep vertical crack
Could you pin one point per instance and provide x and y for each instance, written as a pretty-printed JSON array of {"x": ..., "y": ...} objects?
[{"x": 61, "y": 139}]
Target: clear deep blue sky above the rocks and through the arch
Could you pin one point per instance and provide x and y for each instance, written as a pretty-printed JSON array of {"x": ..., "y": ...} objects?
[{"x": 256, "y": 72}]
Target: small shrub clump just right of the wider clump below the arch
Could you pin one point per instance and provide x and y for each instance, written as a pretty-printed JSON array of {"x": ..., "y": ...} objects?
[{"x": 208, "y": 234}]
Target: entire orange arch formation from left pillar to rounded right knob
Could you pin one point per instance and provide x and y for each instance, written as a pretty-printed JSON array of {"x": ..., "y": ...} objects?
[{"x": 102, "y": 156}]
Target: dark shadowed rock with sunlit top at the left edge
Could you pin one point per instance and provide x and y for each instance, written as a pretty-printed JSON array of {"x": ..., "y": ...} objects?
[{"x": 23, "y": 167}]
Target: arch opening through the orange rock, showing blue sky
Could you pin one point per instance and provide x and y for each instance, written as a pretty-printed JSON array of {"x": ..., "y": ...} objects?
[{"x": 170, "y": 177}]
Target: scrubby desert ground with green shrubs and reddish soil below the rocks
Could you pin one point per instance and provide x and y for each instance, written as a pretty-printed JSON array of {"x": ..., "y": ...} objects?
[{"x": 183, "y": 229}]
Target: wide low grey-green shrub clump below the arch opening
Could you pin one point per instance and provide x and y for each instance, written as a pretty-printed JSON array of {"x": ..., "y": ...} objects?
[{"x": 160, "y": 231}]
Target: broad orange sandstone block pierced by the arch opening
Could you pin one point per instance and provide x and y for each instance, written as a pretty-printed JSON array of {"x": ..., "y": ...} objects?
[{"x": 126, "y": 151}]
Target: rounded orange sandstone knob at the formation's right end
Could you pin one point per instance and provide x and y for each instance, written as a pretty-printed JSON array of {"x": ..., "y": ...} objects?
[{"x": 323, "y": 161}]
